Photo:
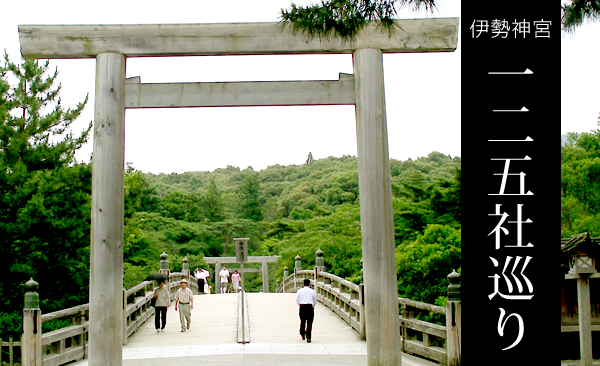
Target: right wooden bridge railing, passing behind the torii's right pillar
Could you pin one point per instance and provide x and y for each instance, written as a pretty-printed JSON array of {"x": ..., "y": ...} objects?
[{"x": 418, "y": 337}]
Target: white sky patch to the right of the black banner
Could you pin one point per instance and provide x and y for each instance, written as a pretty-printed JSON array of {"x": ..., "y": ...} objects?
[{"x": 580, "y": 81}]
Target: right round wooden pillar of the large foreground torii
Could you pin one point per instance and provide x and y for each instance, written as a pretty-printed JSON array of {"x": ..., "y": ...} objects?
[{"x": 376, "y": 213}]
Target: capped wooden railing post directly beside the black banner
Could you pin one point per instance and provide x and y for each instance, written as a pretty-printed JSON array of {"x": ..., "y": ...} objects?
[{"x": 453, "y": 320}]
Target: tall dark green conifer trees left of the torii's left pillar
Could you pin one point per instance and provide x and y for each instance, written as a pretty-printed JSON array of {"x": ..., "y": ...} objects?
[{"x": 44, "y": 193}]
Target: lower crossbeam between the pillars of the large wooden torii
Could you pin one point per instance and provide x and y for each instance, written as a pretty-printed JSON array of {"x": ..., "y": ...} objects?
[{"x": 262, "y": 93}]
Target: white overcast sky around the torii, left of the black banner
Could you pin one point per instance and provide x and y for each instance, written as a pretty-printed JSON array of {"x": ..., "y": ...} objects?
[{"x": 422, "y": 91}]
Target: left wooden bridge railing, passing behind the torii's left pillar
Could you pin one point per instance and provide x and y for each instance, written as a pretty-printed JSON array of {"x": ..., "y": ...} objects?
[{"x": 70, "y": 343}]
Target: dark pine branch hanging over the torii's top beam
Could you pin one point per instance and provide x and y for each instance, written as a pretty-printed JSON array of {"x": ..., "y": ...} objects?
[{"x": 345, "y": 18}]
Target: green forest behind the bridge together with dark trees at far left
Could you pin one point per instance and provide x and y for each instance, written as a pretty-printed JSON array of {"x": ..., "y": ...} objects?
[{"x": 284, "y": 210}]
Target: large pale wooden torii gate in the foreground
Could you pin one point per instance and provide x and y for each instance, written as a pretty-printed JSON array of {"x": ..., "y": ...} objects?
[{"x": 111, "y": 45}]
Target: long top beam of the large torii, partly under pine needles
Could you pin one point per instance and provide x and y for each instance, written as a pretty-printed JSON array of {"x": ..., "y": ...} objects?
[{"x": 87, "y": 41}]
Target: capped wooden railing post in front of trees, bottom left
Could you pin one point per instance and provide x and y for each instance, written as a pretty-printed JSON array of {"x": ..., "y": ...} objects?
[{"x": 31, "y": 342}]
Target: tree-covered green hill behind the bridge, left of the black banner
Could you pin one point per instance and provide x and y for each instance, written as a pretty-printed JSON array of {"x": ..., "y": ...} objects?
[{"x": 295, "y": 210}]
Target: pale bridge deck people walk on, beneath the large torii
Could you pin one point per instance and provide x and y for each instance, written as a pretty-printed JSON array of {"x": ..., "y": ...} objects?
[{"x": 274, "y": 337}]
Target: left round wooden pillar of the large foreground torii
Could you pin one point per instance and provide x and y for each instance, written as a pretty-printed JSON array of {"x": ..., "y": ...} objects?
[{"x": 106, "y": 247}]
